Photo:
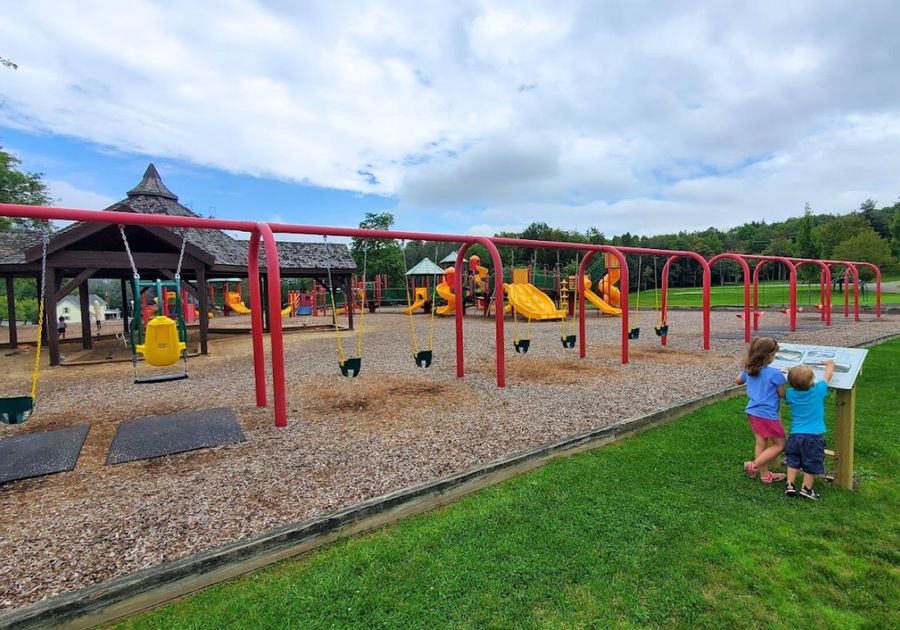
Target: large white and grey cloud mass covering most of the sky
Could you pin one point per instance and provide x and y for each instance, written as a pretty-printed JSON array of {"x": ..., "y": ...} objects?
[{"x": 626, "y": 115}]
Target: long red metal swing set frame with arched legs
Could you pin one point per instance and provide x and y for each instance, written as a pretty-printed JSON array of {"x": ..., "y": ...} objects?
[{"x": 264, "y": 232}]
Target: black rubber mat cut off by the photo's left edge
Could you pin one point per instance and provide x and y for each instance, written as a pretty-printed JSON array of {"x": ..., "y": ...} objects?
[{"x": 42, "y": 453}]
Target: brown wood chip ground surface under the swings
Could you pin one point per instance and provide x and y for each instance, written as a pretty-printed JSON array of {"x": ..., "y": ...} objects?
[{"x": 347, "y": 439}]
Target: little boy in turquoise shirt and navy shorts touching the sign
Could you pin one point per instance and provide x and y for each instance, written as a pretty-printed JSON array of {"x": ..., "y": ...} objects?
[{"x": 806, "y": 444}]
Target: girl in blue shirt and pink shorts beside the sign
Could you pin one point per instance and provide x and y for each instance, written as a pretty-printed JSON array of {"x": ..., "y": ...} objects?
[{"x": 765, "y": 389}]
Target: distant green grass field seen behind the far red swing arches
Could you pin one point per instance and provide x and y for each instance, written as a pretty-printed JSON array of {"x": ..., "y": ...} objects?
[{"x": 770, "y": 294}]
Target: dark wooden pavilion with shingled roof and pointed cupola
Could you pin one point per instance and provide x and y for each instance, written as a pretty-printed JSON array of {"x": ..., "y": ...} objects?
[{"x": 82, "y": 251}]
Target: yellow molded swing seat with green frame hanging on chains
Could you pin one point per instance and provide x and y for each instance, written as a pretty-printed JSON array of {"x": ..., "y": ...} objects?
[{"x": 163, "y": 340}]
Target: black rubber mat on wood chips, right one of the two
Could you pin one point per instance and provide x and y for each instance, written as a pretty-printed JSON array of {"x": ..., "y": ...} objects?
[{"x": 155, "y": 436}]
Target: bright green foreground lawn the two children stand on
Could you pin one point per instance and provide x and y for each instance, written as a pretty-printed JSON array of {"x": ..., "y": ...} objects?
[{"x": 660, "y": 530}]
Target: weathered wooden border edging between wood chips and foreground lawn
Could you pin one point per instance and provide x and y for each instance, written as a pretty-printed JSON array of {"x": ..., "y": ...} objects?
[{"x": 148, "y": 588}]
